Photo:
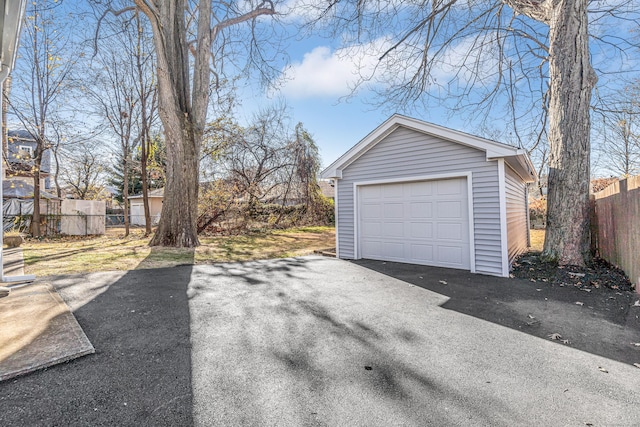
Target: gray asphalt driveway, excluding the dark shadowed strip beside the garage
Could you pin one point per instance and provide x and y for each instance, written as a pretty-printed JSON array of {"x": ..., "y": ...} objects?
[{"x": 307, "y": 341}]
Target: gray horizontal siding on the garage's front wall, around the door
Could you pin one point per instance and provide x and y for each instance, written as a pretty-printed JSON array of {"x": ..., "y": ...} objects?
[{"x": 405, "y": 153}]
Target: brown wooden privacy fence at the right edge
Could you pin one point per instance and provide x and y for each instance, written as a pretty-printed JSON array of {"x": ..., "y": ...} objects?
[{"x": 616, "y": 226}]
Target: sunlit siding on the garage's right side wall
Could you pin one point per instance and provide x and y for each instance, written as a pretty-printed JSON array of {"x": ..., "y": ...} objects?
[{"x": 517, "y": 228}]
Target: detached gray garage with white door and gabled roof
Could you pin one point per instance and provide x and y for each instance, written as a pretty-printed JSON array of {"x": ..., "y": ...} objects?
[{"x": 419, "y": 193}]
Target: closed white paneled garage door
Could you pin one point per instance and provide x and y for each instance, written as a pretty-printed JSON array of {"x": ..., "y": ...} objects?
[{"x": 424, "y": 222}]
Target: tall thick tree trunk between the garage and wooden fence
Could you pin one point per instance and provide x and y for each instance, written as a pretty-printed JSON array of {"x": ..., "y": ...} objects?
[{"x": 570, "y": 73}]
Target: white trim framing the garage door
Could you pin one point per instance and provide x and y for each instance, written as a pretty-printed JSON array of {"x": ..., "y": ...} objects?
[{"x": 468, "y": 175}]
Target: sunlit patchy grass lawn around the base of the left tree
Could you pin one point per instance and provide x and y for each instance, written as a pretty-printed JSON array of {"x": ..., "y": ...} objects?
[{"x": 68, "y": 255}]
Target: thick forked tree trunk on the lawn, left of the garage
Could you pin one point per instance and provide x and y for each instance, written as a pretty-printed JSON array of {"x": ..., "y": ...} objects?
[{"x": 183, "y": 117}]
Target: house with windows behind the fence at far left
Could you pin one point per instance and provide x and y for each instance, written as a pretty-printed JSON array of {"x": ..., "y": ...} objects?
[{"x": 20, "y": 150}]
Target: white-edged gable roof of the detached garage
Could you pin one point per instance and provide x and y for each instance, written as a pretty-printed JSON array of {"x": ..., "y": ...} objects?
[{"x": 517, "y": 158}]
